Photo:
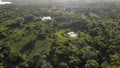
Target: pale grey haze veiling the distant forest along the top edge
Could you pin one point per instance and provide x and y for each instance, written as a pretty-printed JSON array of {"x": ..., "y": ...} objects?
[{"x": 61, "y": 3}]
